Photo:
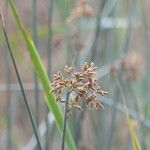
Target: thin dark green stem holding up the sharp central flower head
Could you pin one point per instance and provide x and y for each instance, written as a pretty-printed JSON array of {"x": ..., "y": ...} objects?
[{"x": 65, "y": 122}]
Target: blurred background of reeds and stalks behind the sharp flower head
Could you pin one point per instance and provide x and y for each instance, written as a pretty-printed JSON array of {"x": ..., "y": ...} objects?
[{"x": 114, "y": 35}]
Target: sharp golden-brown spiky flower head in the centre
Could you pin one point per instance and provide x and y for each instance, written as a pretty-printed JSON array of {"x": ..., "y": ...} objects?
[{"x": 81, "y": 85}]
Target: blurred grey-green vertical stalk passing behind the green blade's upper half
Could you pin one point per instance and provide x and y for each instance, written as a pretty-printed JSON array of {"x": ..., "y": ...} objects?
[{"x": 35, "y": 39}]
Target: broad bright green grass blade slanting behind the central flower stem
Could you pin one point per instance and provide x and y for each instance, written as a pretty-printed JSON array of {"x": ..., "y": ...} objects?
[{"x": 50, "y": 97}]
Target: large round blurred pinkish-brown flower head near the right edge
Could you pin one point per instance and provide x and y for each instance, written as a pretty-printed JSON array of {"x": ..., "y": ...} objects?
[{"x": 132, "y": 66}]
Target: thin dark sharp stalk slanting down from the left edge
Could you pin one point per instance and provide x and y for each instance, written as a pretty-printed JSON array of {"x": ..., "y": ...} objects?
[{"x": 20, "y": 83}]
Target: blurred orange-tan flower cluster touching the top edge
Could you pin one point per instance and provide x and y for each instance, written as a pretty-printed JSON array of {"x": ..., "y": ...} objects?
[{"x": 82, "y": 9}]
